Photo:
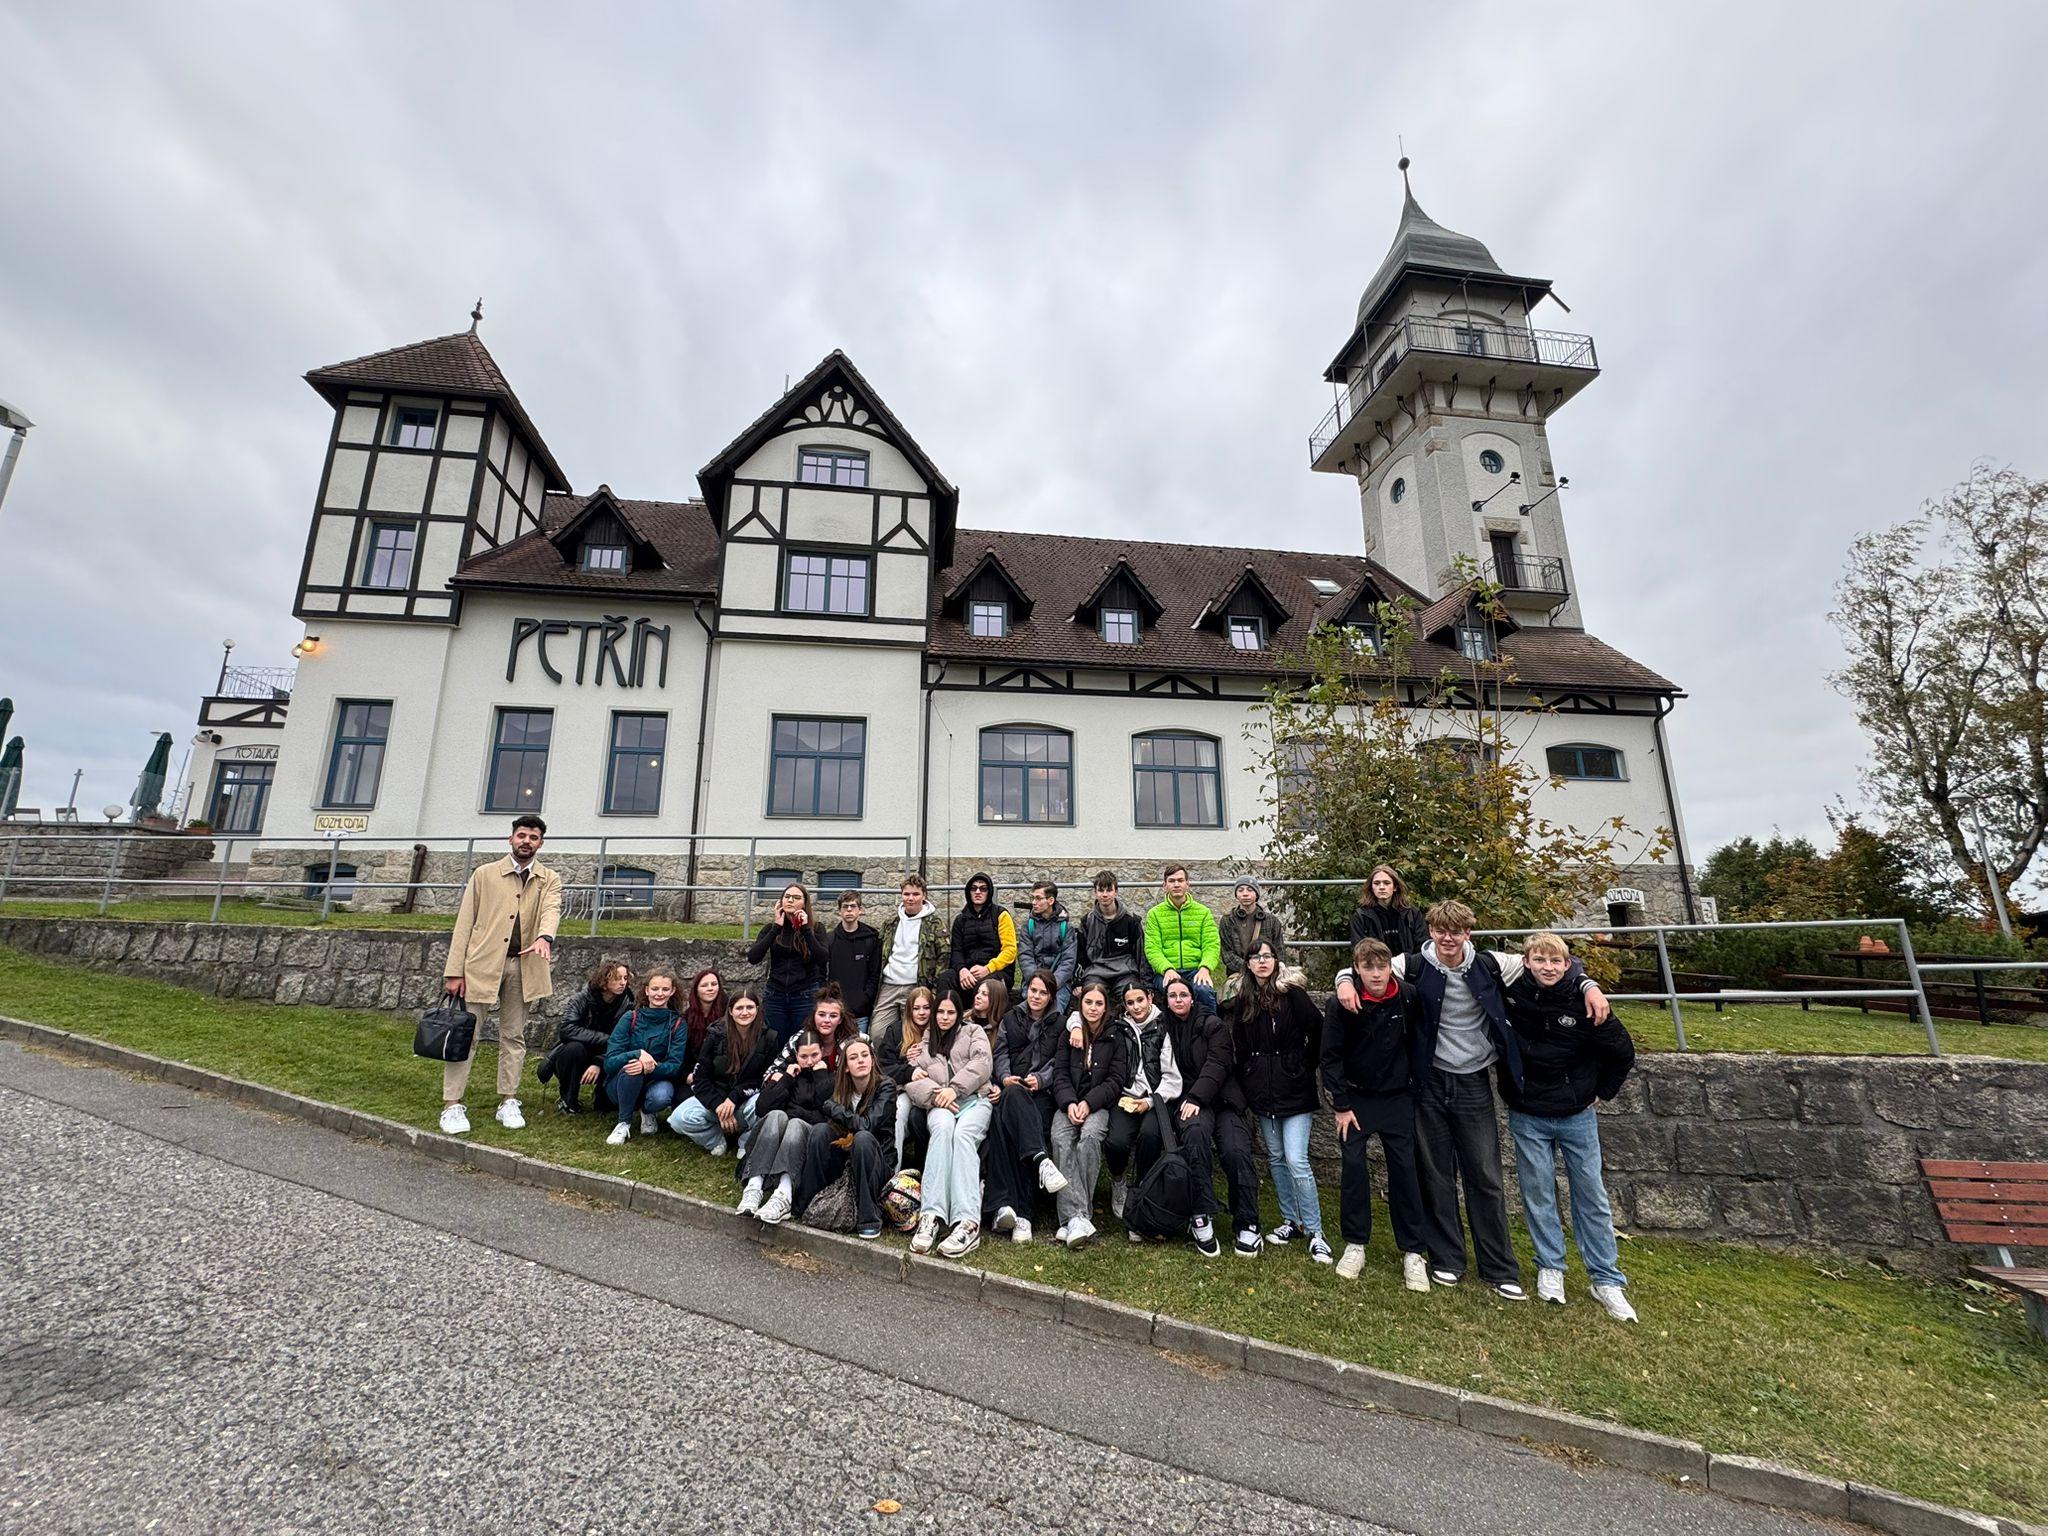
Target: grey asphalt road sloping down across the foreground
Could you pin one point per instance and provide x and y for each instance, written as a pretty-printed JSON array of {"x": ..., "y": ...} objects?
[{"x": 222, "y": 1320}]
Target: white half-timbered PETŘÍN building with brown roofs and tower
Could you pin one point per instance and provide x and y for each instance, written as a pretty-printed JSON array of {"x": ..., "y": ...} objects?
[{"x": 816, "y": 667}]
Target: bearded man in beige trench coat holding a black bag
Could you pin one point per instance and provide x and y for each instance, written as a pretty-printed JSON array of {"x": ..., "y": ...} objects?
[{"x": 511, "y": 912}]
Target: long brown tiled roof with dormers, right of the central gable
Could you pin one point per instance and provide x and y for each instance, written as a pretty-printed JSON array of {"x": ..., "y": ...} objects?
[{"x": 1062, "y": 570}]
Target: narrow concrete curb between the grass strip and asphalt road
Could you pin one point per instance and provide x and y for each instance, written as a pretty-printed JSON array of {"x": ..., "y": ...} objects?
[{"x": 1740, "y": 1478}]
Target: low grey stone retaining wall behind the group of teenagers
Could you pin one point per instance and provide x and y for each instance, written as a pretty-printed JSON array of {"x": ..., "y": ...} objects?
[{"x": 1787, "y": 1152}]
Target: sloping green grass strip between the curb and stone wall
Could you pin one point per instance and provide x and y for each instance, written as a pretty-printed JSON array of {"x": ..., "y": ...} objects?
[{"x": 1936, "y": 1390}]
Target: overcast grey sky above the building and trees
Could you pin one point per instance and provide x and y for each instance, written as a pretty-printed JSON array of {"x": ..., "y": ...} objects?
[{"x": 1095, "y": 259}]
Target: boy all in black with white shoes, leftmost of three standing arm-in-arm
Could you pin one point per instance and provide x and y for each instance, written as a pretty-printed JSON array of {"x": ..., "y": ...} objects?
[{"x": 1371, "y": 1070}]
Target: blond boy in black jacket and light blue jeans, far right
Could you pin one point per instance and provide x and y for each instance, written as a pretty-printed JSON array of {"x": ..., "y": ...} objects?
[{"x": 1568, "y": 1062}]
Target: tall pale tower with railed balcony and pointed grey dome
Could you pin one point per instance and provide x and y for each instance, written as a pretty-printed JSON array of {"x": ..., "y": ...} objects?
[{"x": 1443, "y": 394}]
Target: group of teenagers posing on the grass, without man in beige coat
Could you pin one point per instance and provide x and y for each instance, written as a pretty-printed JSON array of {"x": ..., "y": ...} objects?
[{"x": 896, "y": 1078}]
